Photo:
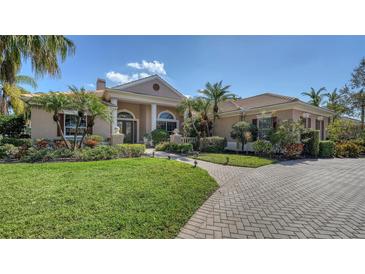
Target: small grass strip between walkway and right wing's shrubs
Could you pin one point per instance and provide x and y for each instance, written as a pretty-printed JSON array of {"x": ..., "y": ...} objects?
[{"x": 235, "y": 159}]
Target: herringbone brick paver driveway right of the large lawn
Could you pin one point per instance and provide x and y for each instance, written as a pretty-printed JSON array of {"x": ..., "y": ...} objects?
[{"x": 294, "y": 199}]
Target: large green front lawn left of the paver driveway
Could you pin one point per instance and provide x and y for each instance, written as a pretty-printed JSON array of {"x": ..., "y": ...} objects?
[{"x": 125, "y": 198}]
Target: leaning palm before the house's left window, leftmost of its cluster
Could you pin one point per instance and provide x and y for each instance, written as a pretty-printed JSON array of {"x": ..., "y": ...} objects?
[{"x": 54, "y": 103}]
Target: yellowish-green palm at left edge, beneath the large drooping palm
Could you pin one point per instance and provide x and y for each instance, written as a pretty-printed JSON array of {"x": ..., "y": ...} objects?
[{"x": 10, "y": 94}]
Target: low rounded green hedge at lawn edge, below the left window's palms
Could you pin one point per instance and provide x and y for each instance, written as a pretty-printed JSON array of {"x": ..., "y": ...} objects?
[{"x": 97, "y": 153}]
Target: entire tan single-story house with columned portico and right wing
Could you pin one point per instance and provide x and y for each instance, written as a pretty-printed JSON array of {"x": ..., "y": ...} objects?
[{"x": 143, "y": 105}]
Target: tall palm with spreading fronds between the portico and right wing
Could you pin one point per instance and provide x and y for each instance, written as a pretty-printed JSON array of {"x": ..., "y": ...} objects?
[{"x": 216, "y": 93}]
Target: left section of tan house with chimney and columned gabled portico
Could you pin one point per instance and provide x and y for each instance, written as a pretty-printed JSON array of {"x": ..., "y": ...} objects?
[{"x": 137, "y": 108}]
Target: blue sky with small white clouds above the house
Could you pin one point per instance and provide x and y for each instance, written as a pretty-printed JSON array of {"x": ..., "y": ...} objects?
[{"x": 250, "y": 64}]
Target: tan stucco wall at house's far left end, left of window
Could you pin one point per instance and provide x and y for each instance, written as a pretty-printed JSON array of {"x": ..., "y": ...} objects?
[{"x": 43, "y": 125}]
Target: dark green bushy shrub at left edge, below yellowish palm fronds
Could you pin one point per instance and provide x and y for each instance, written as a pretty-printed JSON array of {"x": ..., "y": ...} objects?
[{"x": 12, "y": 125}]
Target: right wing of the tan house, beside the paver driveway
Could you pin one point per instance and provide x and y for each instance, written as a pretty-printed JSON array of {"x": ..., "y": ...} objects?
[{"x": 266, "y": 111}]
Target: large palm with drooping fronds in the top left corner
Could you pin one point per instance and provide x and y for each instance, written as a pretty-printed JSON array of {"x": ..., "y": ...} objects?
[{"x": 43, "y": 52}]
